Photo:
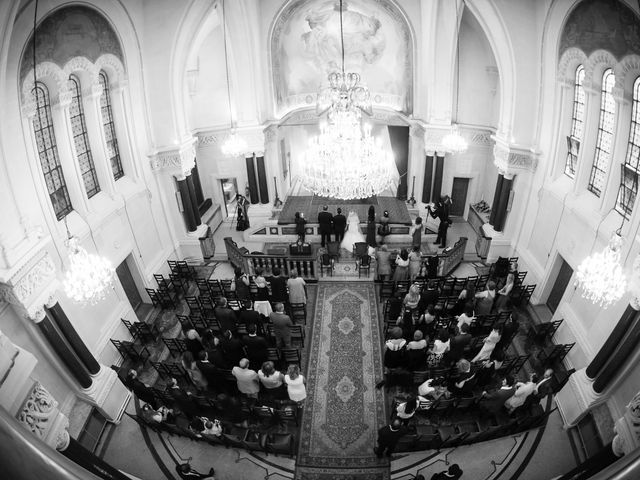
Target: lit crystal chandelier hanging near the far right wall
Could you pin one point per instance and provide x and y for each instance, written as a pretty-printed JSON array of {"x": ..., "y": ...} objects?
[{"x": 600, "y": 274}]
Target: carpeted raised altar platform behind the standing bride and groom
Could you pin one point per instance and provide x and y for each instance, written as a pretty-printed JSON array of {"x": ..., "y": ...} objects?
[{"x": 310, "y": 205}]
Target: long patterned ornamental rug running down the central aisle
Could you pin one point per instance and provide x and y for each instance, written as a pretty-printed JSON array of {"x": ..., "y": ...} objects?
[{"x": 343, "y": 410}]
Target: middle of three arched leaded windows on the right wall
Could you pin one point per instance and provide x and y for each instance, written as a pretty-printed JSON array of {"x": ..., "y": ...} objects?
[{"x": 604, "y": 143}]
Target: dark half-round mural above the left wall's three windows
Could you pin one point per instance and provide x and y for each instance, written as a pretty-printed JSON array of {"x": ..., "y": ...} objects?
[{"x": 71, "y": 32}]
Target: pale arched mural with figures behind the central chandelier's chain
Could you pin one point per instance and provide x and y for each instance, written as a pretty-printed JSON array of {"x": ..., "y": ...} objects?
[{"x": 305, "y": 48}]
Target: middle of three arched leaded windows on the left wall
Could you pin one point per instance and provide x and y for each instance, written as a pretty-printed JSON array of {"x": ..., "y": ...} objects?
[{"x": 80, "y": 140}]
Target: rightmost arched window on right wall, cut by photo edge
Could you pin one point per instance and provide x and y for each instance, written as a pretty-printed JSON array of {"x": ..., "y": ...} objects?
[{"x": 629, "y": 175}]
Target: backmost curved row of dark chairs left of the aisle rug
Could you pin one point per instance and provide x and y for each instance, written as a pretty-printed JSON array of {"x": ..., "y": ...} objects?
[{"x": 232, "y": 436}]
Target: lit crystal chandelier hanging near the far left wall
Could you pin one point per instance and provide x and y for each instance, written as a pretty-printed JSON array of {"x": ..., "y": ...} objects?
[{"x": 88, "y": 276}]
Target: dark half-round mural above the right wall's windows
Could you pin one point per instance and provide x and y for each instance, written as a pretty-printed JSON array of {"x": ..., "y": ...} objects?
[{"x": 602, "y": 24}]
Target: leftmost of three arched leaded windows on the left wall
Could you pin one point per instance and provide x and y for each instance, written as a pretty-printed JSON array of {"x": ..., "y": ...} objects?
[{"x": 48, "y": 153}]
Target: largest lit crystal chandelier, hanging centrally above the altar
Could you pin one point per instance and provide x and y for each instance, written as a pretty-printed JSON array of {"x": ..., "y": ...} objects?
[{"x": 344, "y": 161}]
